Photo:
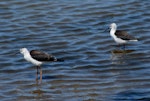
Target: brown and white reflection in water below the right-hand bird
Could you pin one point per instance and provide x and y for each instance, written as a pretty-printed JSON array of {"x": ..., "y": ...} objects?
[{"x": 119, "y": 56}]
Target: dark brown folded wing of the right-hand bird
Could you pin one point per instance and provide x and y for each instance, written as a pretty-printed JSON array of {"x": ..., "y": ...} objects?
[{"x": 124, "y": 35}]
